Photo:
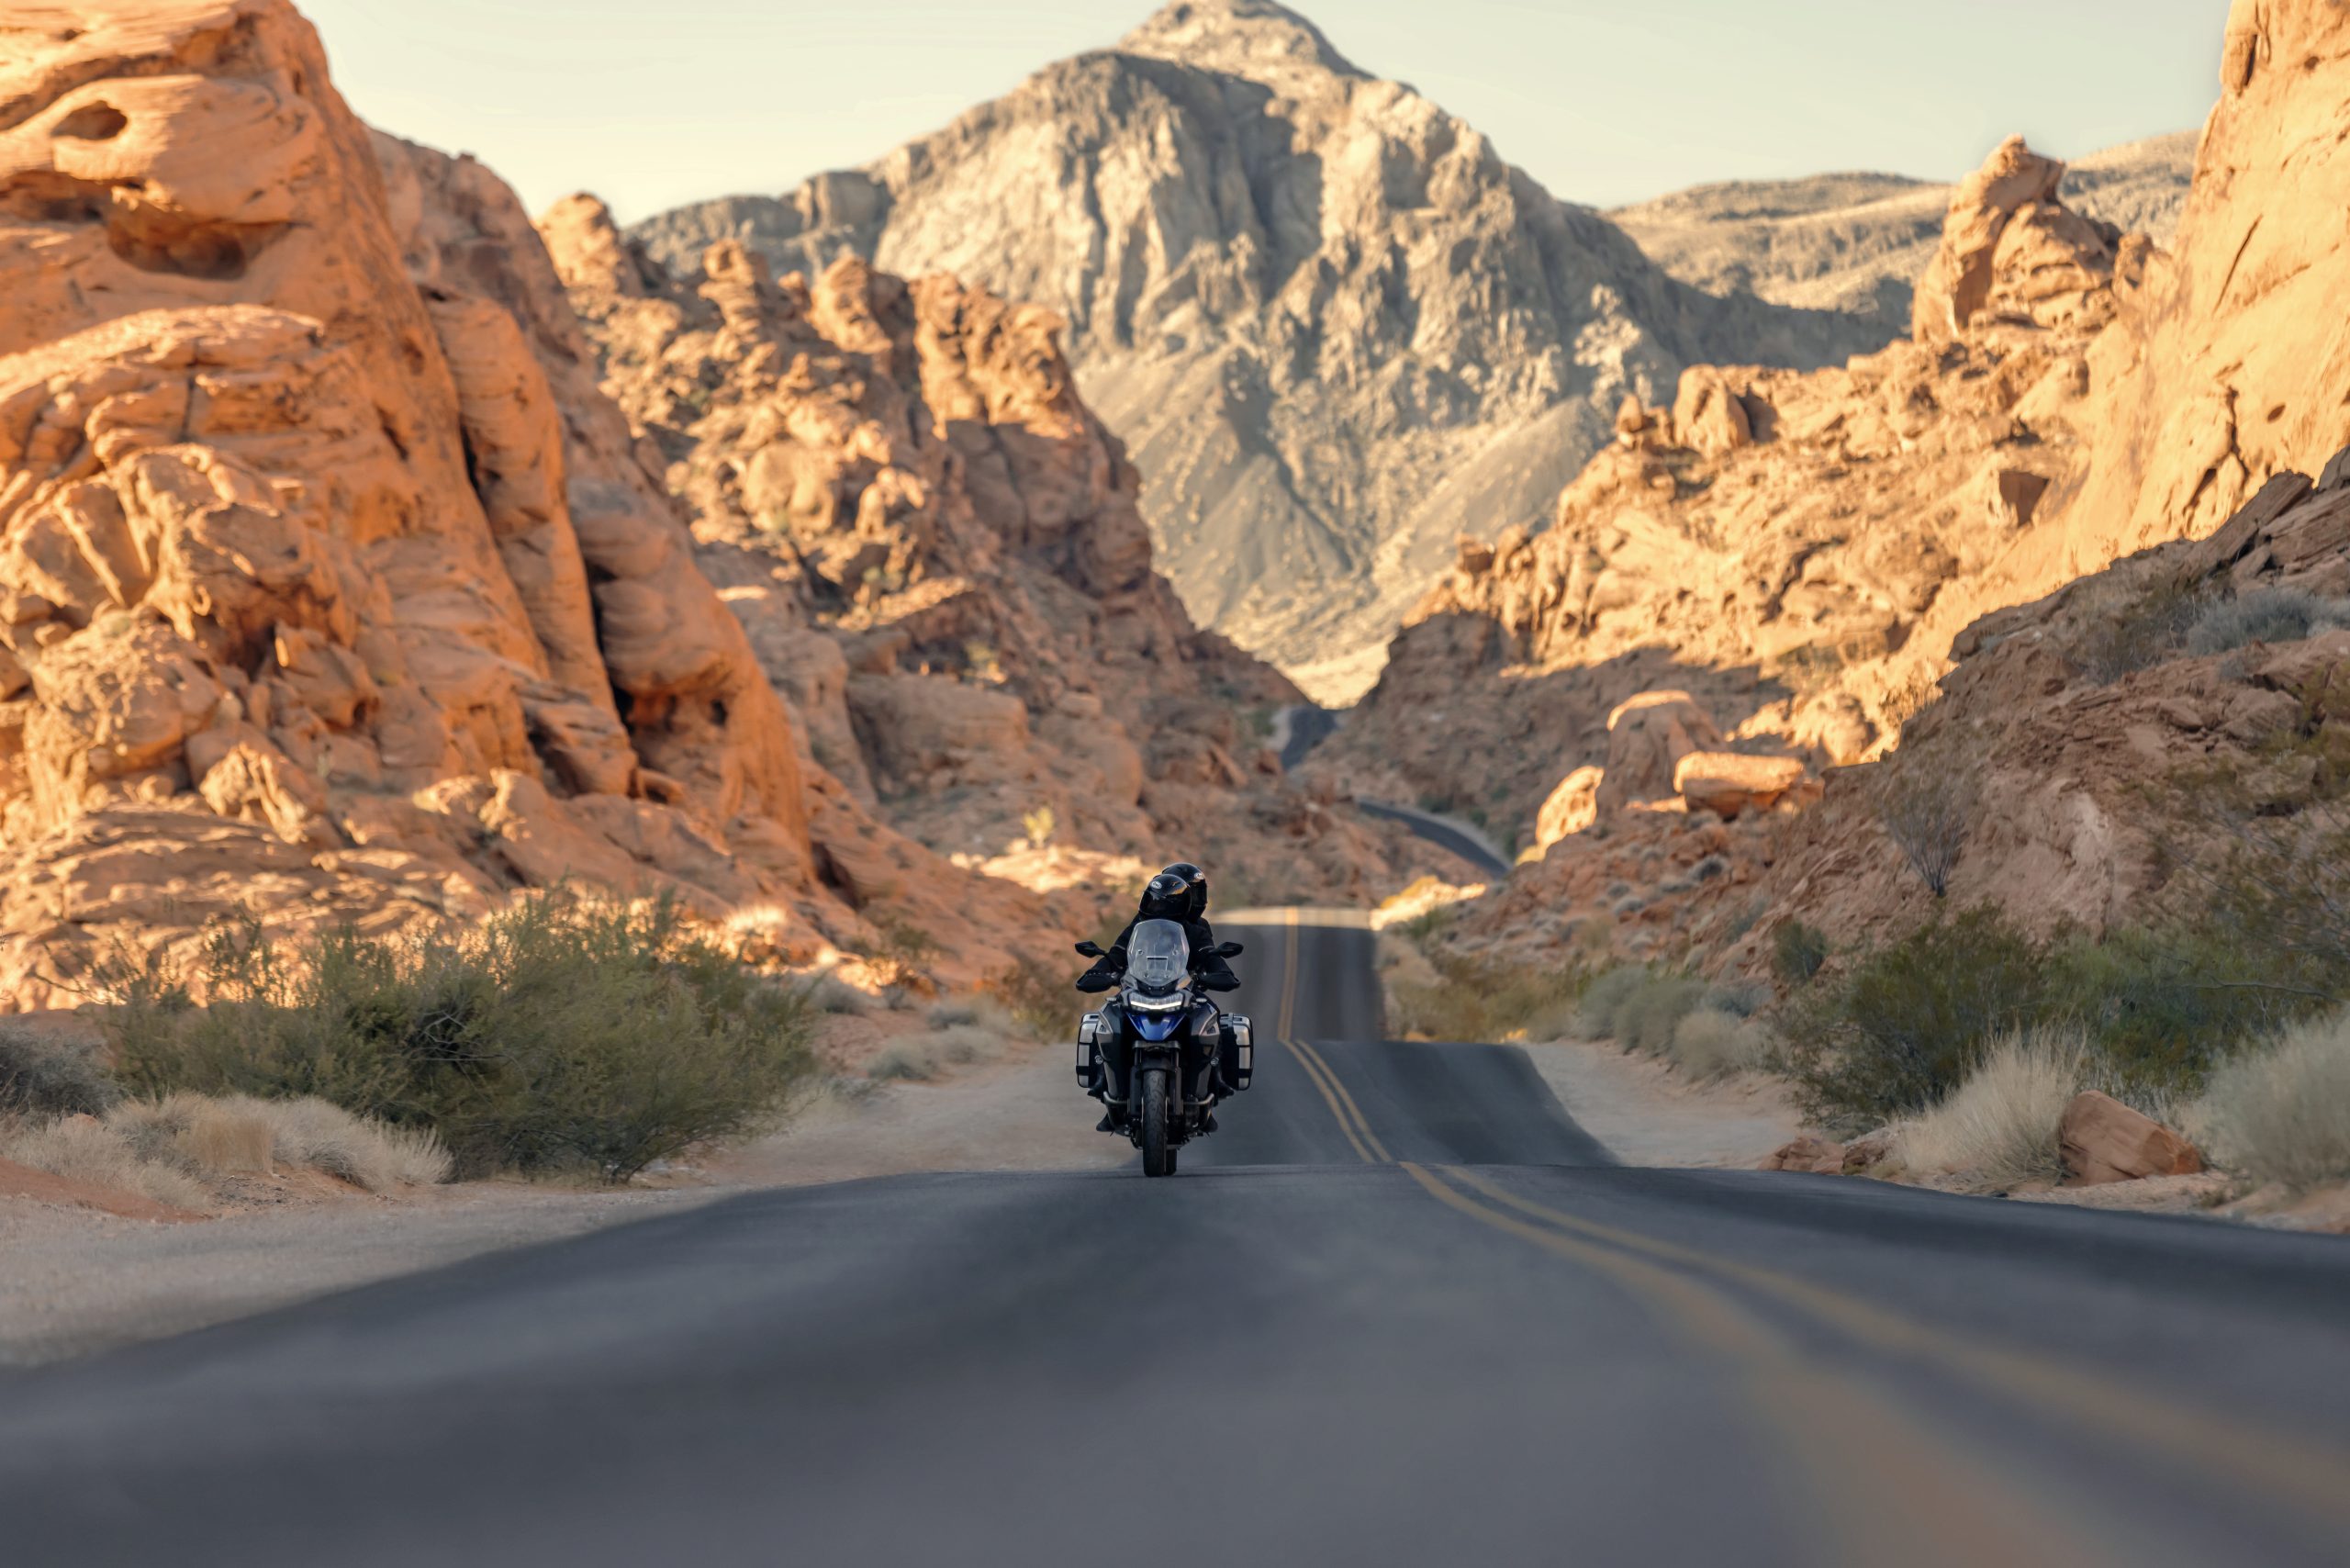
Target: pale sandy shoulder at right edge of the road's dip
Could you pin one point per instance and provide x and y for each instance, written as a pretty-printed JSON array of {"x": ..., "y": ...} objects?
[{"x": 1656, "y": 1118}]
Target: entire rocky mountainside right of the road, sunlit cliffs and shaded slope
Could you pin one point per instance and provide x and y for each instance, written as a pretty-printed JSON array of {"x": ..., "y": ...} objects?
[{"x": 2140, "y": 671}]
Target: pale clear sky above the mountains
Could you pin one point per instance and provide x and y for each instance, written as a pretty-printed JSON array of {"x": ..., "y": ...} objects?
[{"x": 1602, "y": 100}]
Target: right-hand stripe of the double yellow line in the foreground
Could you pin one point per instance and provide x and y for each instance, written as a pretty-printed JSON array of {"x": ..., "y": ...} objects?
[{"x": 2299, "y": 1470}]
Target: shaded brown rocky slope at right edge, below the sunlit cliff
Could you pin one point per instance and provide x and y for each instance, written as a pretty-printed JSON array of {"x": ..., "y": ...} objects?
[{"x": 2069, "y": 723}]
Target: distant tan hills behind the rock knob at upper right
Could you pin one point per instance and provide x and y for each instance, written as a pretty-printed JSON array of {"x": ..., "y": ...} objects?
[{"x": 1855, "y": 243}]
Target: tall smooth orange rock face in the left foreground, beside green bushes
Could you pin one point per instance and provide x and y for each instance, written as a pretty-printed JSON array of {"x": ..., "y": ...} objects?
[{"x": 330, "y": 587}]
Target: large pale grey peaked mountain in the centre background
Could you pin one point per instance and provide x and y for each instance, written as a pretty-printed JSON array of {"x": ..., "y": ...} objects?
[{"x": 1329, "y": 319}]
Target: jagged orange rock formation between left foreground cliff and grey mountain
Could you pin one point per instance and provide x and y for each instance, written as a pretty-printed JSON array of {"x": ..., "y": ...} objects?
[{"x": 941, "y": 561}]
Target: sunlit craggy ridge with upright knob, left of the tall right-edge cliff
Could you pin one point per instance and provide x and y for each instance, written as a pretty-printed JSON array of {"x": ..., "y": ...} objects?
[{"x": 1790, "y": 549}]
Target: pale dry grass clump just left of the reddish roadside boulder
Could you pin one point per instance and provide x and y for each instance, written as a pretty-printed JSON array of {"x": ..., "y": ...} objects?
[{"x": 1999, "y": 1127}]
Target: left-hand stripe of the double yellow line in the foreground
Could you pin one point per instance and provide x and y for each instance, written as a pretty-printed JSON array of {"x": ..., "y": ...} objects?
[{"x": 1881, "y": 1480}]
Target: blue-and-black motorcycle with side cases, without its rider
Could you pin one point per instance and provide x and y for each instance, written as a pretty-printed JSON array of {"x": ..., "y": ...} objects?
[{"x": 1162, "y": 1054}]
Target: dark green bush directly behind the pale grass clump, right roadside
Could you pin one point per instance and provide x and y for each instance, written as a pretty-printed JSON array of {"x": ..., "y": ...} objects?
[{"x": 1907, "y": 1024}]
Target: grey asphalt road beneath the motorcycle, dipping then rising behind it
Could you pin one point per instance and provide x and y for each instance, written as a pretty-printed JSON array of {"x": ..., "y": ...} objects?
[{"x": 1397, "y": 1313}]
